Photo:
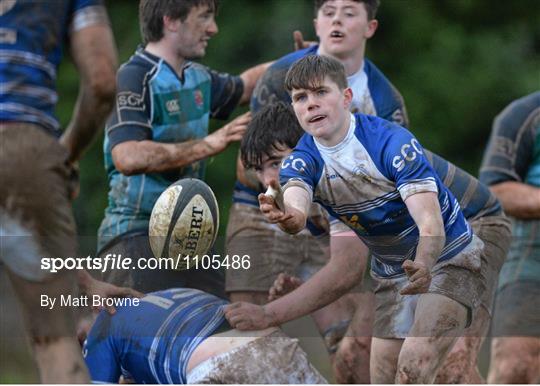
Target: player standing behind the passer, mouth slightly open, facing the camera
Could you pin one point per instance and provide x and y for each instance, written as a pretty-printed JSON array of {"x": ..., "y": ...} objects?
[{"x": 343, "y": 27}]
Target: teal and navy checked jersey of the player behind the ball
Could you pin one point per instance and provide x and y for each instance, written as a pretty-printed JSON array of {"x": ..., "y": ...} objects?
[{"x": 154, "y": 103}]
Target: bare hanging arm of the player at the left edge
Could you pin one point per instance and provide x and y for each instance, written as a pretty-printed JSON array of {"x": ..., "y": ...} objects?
[{"x": 94, "y": 53}]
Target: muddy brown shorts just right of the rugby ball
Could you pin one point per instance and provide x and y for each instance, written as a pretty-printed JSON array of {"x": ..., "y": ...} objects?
[{"x": 271, "y": 250}]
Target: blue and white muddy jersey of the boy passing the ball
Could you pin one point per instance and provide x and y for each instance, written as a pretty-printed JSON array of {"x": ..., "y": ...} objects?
[{"x": 364, "y": 180}]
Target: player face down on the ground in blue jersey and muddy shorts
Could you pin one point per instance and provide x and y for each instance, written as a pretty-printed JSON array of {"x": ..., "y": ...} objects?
[{"x": 181, "y": 336}]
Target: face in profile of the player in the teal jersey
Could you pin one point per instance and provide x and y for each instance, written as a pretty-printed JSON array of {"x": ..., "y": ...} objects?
[{"x": 195, "y": 31}]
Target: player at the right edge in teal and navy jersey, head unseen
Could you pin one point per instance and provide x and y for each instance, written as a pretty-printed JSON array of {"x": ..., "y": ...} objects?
[{"x": 511, "y": 168}]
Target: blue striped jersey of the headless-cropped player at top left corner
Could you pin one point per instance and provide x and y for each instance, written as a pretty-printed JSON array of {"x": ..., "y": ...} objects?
[{"x": 31, "y": 37}]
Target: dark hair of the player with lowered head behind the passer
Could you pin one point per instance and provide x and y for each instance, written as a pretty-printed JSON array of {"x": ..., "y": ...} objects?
[{"x": 271, "y": 129}]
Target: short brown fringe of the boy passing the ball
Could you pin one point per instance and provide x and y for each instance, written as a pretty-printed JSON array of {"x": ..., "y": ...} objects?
[{"x": 310, "y": 71}]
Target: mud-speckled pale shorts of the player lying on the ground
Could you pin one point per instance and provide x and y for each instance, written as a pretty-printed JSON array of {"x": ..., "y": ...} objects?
[{"x": 274, "y": 358}]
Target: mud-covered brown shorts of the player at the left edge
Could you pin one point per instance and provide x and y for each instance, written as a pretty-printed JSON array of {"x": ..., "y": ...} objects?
[{"x": 37, "y": 222}]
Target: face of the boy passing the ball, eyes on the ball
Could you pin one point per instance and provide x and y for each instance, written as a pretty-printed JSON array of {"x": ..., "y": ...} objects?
[{"x": 323, "y": 111}]
